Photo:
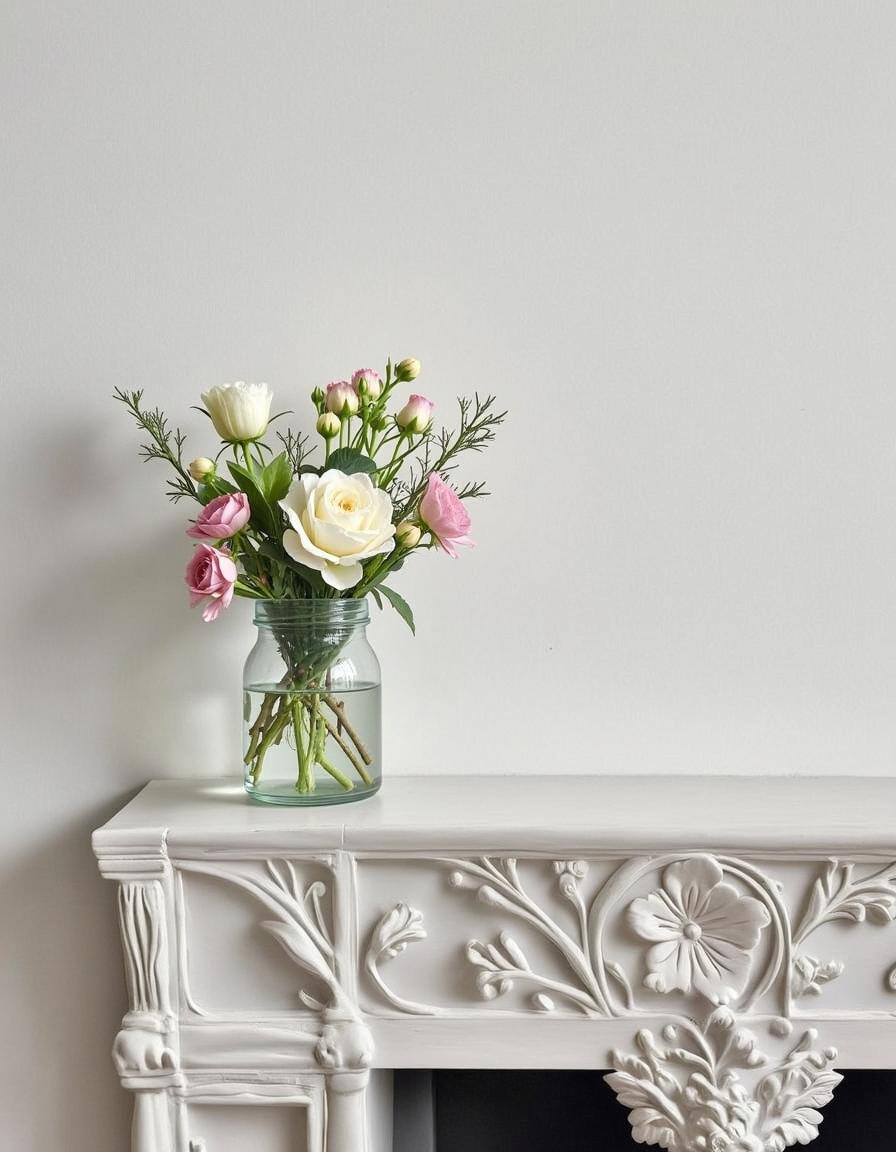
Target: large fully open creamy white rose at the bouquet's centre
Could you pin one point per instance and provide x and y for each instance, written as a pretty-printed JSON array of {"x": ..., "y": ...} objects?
[{"x": 338, "y": 521}]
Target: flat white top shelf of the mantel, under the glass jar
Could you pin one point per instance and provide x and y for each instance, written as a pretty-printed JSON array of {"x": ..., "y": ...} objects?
[{"x": 495, "y": 813}]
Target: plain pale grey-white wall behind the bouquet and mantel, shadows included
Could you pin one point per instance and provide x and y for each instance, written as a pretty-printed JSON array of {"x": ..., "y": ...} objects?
[{"x": 663, "y": 233}]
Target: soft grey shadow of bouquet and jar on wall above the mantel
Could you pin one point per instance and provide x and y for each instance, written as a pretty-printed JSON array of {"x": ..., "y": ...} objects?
[{"x": 147, "y": 680}]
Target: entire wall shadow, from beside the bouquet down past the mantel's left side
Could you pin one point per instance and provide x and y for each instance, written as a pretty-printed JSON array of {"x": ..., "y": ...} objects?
[{"x": 116, "y": 683}]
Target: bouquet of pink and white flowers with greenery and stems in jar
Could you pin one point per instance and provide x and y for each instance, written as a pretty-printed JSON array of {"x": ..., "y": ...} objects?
[{"x": 283, "y": 526}]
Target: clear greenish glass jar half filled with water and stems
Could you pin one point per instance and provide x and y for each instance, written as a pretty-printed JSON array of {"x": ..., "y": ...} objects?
[{"x": 312, "y": 704}]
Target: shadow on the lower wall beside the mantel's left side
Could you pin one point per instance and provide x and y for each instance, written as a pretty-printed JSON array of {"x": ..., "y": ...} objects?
[{"x": 65, "y": 995}]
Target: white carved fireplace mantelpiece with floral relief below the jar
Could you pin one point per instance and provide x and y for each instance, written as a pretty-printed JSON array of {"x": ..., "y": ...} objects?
[{"x": 732, "y": 930}]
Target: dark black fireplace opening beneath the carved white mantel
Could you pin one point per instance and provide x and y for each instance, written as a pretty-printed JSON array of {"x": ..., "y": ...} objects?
[{"x": 490, "y": 1111}]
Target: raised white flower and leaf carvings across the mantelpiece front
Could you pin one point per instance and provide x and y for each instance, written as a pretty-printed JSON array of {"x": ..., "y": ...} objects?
[{"x": 713, "y": 930}]
